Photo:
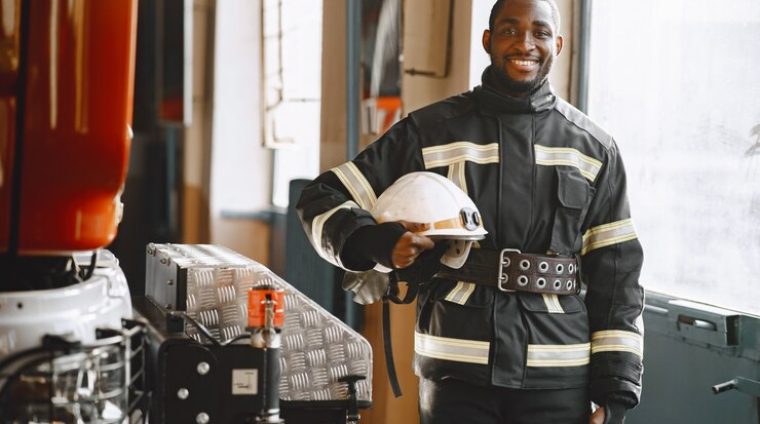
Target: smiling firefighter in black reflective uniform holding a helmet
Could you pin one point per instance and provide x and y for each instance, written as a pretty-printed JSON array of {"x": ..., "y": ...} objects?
[{"x": 507, "y": 337}]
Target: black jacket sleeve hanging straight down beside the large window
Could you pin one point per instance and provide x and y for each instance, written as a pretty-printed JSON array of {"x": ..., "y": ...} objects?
[{"x": 611, "y": 261}]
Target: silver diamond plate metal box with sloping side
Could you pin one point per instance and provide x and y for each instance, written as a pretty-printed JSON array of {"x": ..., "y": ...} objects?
[{"x": 210, "y": 283}]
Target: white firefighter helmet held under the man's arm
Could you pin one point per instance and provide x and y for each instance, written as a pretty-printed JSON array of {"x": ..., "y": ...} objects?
[{"x": 442, "y": 208}]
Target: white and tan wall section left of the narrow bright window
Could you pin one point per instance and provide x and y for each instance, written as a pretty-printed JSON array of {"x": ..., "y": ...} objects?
[{"x": 227, "y": 168}]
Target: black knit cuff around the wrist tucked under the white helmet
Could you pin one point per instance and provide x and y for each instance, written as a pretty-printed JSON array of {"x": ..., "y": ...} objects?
[{"x": 371, "y": 244}]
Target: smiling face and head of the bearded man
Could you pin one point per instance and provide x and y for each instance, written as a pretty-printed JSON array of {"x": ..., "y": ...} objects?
[{"x": 522, "y": 45}]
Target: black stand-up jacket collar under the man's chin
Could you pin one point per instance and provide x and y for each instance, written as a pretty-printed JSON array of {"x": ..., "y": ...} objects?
[{"x": 492, "y": 102}]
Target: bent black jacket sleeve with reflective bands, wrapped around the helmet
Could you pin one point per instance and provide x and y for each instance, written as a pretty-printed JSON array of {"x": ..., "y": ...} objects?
[{"x": 339, "y": 201}]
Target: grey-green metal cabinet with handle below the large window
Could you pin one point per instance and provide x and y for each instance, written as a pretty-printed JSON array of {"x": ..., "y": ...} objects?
[{"x": 688, "y": 349}]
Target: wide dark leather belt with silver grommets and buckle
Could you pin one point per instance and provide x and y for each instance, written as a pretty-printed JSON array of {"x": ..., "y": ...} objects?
[{"x": 511, "y": 270}]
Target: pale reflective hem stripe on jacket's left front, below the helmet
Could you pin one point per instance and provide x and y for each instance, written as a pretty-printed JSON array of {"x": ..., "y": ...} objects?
[{"x": 457, "y": 350}]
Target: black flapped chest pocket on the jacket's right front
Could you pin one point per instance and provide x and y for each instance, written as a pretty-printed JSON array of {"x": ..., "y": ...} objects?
[{"x": 574, "y": 195}]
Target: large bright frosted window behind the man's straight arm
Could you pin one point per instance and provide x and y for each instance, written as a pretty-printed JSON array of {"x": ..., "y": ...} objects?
[{"x": 677, "y": 83}]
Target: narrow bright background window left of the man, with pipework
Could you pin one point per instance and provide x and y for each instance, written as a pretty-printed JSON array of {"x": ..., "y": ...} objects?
[{"x": 292, "y": 88}]
